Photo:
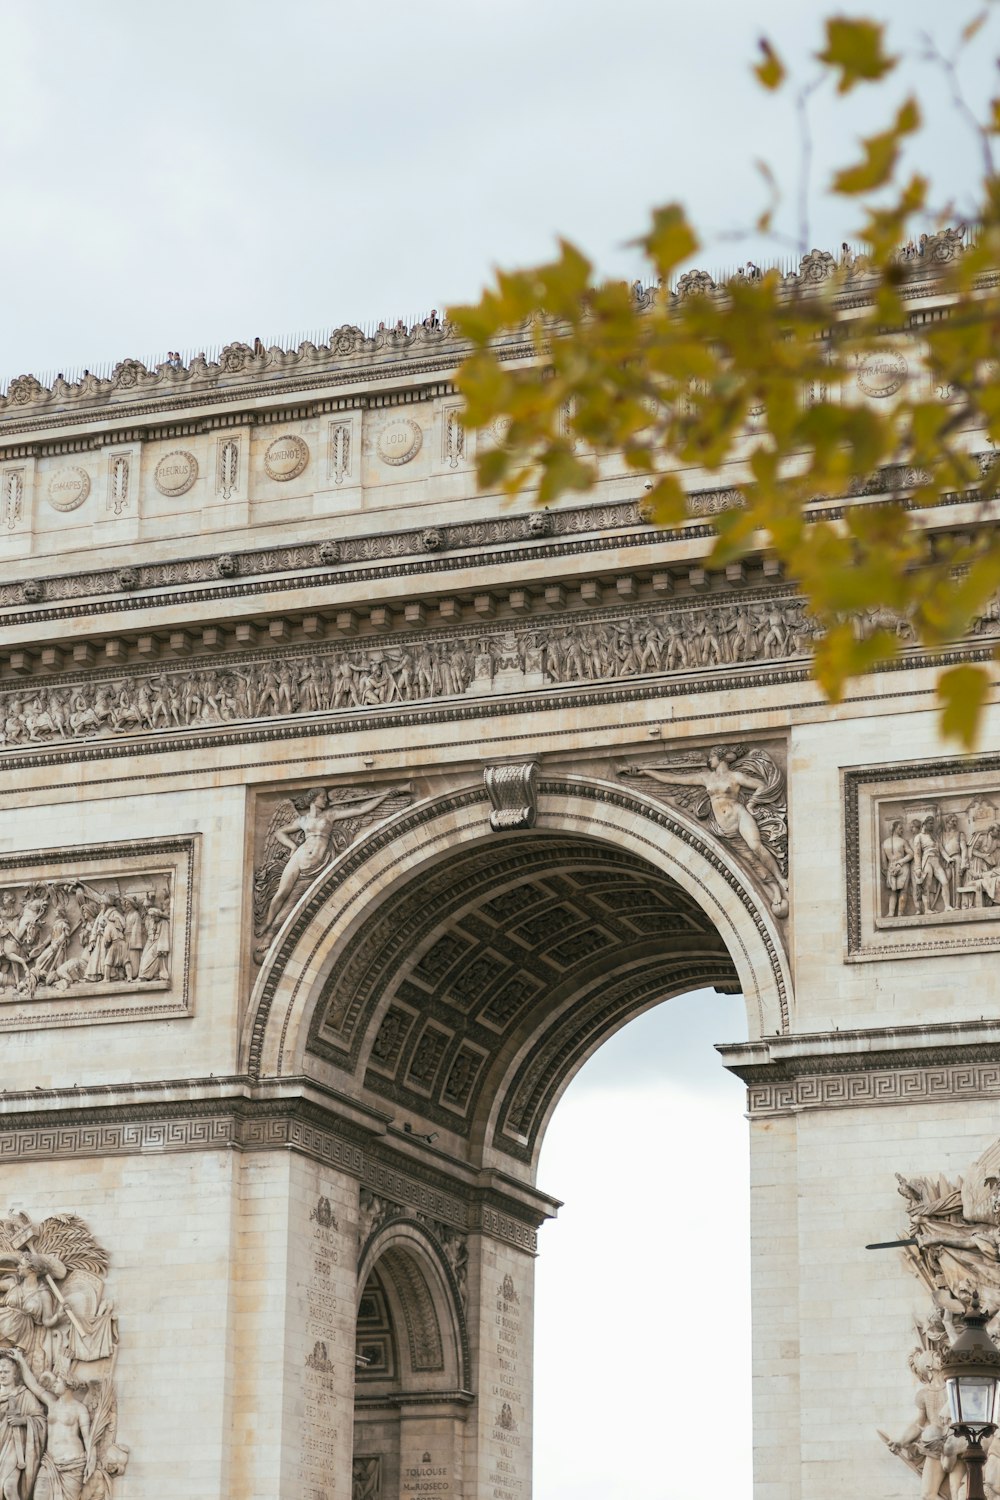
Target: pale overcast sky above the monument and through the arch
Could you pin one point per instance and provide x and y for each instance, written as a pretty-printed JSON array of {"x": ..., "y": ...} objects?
[{"x": 185, "y": 175}]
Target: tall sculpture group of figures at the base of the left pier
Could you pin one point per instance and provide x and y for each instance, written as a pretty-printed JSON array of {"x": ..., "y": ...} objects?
[{"x": 59, "y": 1342}]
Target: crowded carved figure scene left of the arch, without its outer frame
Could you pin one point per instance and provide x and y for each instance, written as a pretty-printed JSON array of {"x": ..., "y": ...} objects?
[{"x": 65, "y": 934}]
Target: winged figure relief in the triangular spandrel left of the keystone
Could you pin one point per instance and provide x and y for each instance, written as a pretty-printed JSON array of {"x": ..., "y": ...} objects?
[{"x": 301, "y": 835}]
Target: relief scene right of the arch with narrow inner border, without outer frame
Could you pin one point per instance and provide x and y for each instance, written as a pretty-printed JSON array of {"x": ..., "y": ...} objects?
[{"x": 939, "y": 859}]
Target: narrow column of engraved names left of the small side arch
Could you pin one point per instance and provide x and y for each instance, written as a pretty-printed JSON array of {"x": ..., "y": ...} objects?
[{"x": 317, "y": 1426}]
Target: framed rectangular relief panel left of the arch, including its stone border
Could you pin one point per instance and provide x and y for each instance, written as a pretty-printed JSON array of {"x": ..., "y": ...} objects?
[{"x": 97, "y": 935}]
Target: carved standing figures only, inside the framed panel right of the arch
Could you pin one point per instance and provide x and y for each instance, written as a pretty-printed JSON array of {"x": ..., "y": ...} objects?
[{"x": 941, "y": 862}]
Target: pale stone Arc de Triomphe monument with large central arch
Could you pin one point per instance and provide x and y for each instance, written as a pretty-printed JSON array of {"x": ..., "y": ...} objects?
[{"x": 346, "y": 812}]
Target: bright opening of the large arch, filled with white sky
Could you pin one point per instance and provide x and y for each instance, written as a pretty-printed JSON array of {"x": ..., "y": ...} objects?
[{"x": 645, "y": 1271}]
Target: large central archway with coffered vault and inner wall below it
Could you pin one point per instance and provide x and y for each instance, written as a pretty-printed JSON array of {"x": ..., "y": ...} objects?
[{"x": 449, "y": 980}]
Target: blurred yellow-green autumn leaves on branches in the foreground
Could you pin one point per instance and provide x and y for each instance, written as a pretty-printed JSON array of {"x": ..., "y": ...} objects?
[{"x": 761, "y": 377}]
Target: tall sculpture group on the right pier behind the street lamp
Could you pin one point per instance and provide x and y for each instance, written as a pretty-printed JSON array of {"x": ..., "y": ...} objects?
[{"x": 954, "y": 1249}]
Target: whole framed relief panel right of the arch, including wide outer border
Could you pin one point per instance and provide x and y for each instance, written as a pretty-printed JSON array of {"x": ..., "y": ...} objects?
[{"x": 923, "y": 859}]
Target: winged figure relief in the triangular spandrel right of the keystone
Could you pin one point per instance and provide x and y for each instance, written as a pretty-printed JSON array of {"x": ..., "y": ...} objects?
[{"x": 740, "y": 793}]
